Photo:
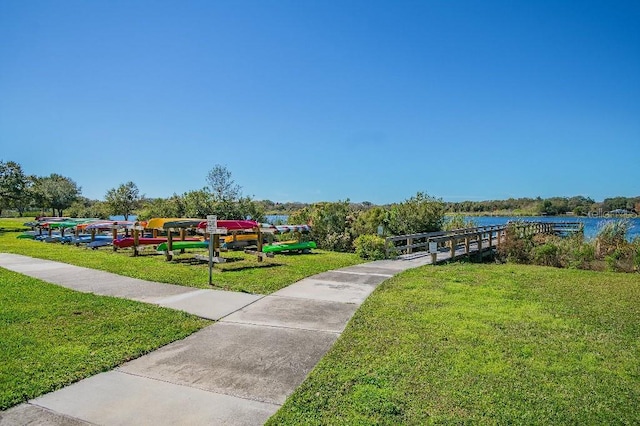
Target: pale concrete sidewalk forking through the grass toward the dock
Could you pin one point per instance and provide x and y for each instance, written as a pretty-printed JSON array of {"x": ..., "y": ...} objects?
[{"x": 238, "y": 371}]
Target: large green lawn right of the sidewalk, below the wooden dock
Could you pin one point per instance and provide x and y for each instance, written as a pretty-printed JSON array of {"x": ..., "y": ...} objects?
[{"x": 489, "y": 344}]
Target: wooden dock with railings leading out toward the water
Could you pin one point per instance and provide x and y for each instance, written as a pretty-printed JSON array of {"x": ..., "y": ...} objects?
[{"x": 443, "y": 246}]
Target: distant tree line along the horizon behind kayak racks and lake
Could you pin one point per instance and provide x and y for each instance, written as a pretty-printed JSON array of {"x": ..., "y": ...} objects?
[{"x": 56, "y": 194}]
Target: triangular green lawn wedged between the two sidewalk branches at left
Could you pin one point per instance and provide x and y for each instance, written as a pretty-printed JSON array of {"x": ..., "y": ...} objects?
[{"x": 51, "y": 336}]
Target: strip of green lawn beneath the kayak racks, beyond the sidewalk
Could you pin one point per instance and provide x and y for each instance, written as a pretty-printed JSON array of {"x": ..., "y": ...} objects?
[{"x": 242, "y": 273}]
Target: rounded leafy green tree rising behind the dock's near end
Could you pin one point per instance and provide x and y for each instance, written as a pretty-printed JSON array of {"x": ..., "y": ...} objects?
[{"x": 420, "y": 213}]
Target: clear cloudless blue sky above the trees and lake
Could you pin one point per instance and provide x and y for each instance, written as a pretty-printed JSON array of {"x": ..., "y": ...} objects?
[{"x": 326, "y": 100}]
